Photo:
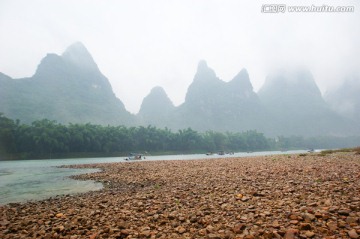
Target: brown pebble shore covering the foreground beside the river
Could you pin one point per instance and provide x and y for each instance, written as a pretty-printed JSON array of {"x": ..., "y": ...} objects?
[{"x": 279, "y": 196}]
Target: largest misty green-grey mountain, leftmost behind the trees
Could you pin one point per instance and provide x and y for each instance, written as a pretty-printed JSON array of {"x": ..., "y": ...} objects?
[{"x": 66, "y": 88}]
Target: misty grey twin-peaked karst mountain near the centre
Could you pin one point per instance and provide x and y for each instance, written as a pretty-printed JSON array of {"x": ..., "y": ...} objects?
[{"x": 211, "y": 103}]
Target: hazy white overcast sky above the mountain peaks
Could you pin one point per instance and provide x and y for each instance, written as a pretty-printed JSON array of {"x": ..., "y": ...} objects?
[{"x": 140, "y": 44}]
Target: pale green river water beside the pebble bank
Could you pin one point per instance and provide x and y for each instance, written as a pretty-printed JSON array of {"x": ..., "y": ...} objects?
[{"x": 26, "y": 180}]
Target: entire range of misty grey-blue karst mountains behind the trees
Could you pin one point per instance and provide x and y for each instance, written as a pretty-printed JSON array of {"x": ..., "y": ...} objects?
[{"x": 71, "y": 89}]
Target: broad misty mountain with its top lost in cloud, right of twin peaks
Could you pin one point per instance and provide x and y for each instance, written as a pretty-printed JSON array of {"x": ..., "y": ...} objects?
[{"x": 297, "y": 106}]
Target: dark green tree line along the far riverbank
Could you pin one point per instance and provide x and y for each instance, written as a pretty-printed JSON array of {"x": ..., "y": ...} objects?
[{"x": 47, "y": 138}]
